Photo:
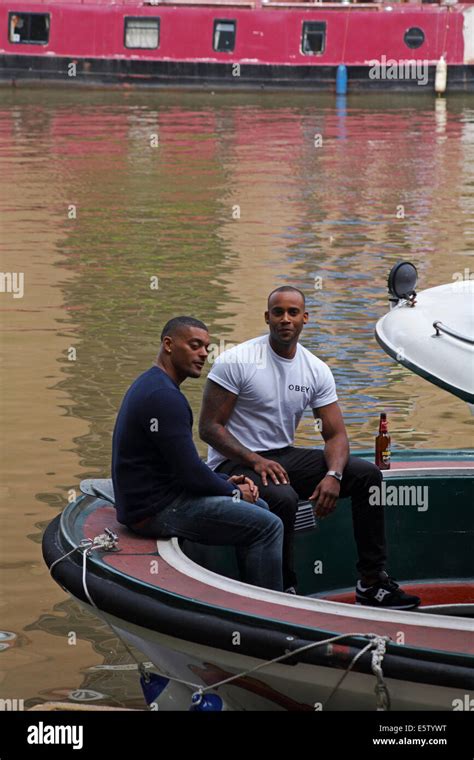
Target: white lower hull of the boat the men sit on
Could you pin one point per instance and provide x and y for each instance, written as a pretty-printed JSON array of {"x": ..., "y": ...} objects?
[{"x": 273, "y": 687}]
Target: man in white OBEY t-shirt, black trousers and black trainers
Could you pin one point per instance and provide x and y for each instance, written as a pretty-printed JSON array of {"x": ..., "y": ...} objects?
[{"x": 254, "y": 398}]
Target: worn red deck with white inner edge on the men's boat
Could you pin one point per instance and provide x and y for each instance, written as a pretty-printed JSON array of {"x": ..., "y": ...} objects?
[{"x": 175, "y": 574}]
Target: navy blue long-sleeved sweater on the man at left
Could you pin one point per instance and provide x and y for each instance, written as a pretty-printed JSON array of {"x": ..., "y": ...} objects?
[{"x": 154, "y": 458}]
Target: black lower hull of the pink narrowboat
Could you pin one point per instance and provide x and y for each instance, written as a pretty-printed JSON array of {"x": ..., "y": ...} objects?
[{"x": 202, "y": 75}]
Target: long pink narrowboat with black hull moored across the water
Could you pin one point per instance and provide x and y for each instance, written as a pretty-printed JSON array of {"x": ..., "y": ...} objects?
[{"x": 240, "y": 44}]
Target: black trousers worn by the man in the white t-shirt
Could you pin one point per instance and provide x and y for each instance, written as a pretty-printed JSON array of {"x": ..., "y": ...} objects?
[{"x": 306, "y": 468}]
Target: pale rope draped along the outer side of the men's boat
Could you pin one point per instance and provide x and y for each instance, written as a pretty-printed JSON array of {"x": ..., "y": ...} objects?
[{"x": 108, "y": 542}]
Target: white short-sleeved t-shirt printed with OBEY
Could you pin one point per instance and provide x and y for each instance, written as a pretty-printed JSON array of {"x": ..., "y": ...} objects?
[{"x": 272, "y": 393}]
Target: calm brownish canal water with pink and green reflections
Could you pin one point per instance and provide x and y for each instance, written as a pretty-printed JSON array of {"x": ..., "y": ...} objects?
[{"x": 122, "y": 210}]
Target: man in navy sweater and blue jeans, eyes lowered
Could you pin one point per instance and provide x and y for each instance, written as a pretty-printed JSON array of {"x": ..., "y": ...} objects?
[{"x": 162, "y": 488}]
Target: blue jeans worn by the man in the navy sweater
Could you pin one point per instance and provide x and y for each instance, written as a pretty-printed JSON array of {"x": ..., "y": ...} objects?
[{"x": 256, "y": 532}]
